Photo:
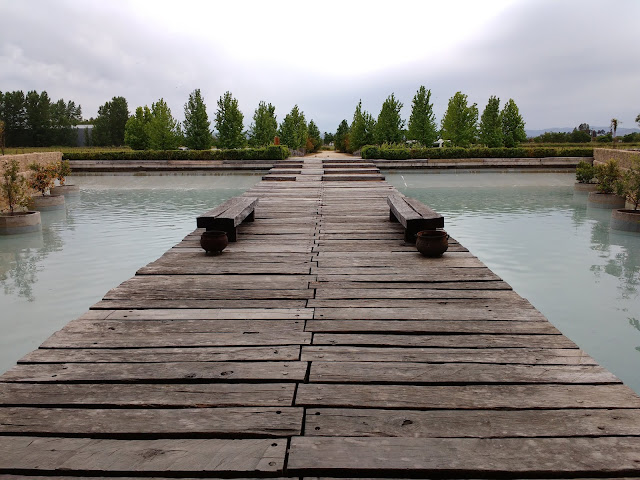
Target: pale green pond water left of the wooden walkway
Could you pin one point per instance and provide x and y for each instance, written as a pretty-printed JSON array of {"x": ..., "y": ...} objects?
[{"x": 116, "y": 225}]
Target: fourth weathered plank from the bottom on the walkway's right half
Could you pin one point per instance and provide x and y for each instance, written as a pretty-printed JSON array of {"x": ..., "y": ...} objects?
[{"x": 425, "y": 373}]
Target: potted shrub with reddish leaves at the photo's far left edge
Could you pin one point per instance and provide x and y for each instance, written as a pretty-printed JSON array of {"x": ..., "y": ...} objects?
[{"x": 14, "y": 192}]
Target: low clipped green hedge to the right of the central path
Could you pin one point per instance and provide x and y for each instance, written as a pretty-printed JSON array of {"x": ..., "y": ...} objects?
[{"x": 405, "y": 153}]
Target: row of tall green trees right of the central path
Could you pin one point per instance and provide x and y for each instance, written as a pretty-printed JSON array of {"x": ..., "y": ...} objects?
[{"x": 459, "y": 125}]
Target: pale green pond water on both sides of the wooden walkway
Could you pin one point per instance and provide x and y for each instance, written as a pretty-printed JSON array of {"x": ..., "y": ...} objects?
[{"x": 530, "y": 228}]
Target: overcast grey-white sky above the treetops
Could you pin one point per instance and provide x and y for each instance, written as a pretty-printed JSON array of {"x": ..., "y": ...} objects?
[{"x": 564, "y": 62}]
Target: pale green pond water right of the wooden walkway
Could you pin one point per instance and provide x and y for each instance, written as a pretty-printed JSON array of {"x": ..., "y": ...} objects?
[{"x": 543, "y": 239}]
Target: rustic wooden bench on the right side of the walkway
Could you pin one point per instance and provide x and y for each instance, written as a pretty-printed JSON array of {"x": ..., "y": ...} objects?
[{"x": 413, "y": 215}]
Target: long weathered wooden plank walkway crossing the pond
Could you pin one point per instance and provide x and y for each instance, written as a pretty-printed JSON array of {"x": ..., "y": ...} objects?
[{"x": 318, "y": 345}]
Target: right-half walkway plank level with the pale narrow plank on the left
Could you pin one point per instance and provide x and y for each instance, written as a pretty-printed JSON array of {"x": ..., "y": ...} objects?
[{"x": 429, "y": 311}]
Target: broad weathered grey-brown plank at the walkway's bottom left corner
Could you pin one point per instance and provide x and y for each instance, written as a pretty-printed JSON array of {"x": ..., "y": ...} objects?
[{"x": 156, "y": 457}]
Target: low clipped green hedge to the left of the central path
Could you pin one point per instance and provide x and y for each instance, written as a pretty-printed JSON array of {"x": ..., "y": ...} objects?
[{"x": 272, "y": 152}]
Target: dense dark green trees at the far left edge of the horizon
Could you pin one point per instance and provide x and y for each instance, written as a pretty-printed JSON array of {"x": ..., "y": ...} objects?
[{"x": 36, "y": 120}]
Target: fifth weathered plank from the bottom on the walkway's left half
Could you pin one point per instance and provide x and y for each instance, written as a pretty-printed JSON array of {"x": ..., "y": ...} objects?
[{"x": 162, "y": 355}]
